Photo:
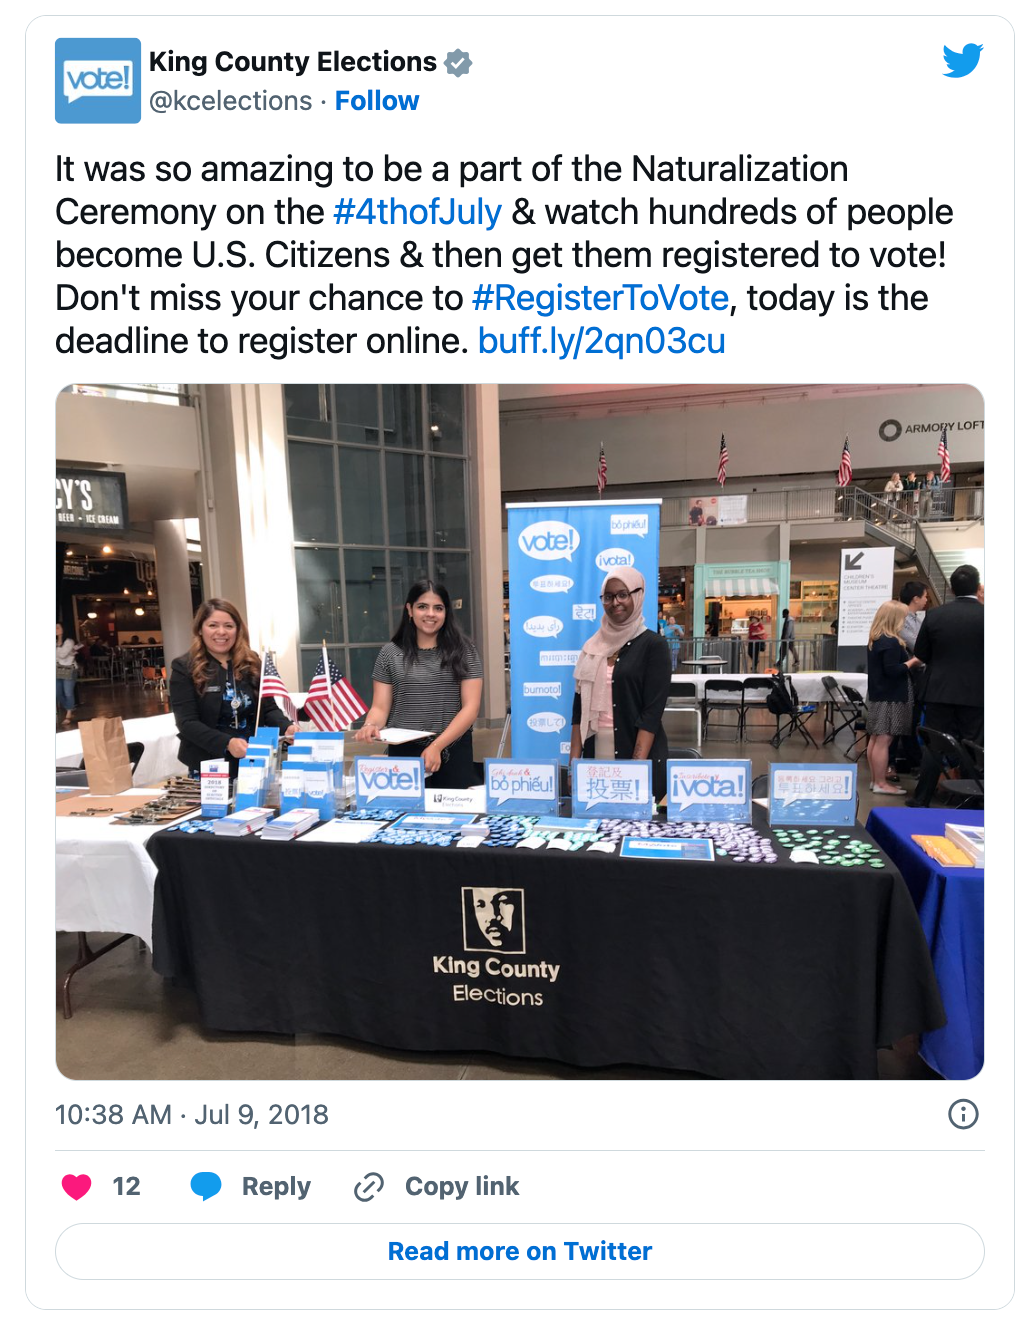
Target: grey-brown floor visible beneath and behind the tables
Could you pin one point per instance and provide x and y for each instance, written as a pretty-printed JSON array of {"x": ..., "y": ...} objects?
[{"x": 131, "y": 1024}]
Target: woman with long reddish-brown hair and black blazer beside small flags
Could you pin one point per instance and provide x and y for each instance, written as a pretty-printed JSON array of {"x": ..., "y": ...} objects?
[{"x": 215, "y": 689}]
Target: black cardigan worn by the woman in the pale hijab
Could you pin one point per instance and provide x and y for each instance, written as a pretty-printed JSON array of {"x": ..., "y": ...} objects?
[{"x": 641, "y": 688}]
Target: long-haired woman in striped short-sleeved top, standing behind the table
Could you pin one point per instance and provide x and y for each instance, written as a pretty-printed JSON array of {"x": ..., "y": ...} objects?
[{"x": 429, "y": 679}]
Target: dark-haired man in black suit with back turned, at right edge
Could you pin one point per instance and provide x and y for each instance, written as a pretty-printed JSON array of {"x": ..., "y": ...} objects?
[{"x": 951, "y": 644}]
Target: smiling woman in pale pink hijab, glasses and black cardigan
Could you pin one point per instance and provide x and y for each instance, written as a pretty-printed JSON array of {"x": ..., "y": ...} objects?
[{"x": 623, "y": 684}]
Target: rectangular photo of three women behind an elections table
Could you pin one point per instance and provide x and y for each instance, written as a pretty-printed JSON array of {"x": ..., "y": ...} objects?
[{"x": 461, "y": 740}]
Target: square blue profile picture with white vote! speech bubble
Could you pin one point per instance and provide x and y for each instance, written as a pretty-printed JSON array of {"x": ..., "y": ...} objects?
[{"x": 98, "y": 81}]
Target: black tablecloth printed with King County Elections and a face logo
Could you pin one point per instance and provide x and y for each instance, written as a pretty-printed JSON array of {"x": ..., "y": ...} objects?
[{"x": 728, "y": 970}]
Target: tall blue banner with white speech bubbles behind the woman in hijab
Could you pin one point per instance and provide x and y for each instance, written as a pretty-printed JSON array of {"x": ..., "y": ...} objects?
[{"x": 559, "y": 557}]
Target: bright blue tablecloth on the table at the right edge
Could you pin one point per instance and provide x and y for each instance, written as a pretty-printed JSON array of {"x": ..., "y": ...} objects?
[{"x": 951, "y": 909}]
